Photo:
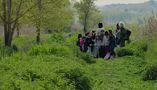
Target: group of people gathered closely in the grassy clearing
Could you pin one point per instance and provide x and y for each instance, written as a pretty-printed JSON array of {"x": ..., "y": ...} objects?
[{"x": 101, "y": 43}]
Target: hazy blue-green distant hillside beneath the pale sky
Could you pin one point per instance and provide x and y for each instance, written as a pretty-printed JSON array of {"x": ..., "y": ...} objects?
[{"x": 131, "y": 13}]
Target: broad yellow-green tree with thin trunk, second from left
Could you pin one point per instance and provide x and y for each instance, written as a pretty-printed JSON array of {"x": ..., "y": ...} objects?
[{"x": 50, "y": 14}]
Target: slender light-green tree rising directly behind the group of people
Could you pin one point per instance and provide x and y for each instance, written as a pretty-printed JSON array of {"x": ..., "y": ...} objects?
[{"x": 85, "y": 9}]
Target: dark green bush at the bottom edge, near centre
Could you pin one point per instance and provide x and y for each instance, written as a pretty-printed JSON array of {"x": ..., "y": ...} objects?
[{"x": 76, "y": 77}]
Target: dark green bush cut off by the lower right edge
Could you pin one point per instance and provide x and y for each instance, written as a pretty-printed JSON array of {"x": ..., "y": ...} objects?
[{"x": 151, "y": 73}]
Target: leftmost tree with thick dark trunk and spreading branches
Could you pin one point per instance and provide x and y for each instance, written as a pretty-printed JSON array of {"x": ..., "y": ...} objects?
[{"x": 11, "y": 12}]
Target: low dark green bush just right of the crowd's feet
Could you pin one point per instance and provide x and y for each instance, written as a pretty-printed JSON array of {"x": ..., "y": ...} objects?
[{"x": 124, "y": 52}]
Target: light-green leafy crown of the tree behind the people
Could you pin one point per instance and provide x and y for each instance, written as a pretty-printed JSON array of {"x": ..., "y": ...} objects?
[{"x": 89, "y": 15}]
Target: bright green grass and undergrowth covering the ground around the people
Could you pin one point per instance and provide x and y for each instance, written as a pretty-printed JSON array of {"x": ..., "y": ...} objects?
[{"x": 57, "y": 64}]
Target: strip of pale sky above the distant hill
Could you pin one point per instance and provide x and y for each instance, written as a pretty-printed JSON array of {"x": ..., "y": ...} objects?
[{"x": 107, "y": 2}]
